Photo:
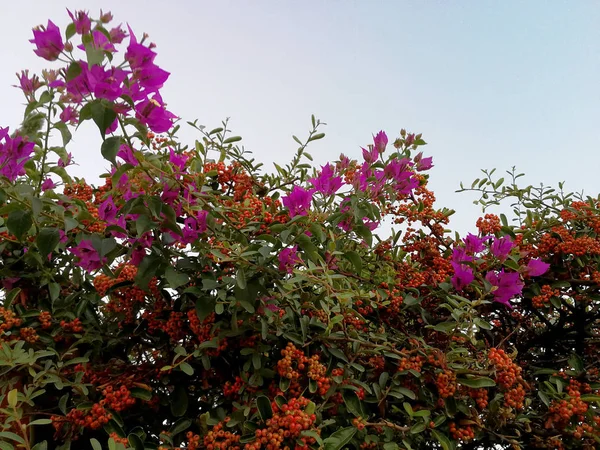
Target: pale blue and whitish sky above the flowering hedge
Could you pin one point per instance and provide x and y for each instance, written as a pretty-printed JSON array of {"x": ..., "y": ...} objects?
[{"x": 489, "y": 84}]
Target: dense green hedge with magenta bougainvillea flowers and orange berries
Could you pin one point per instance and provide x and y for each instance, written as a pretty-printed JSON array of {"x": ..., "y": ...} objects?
[{"x": 193, "y": 301}]
